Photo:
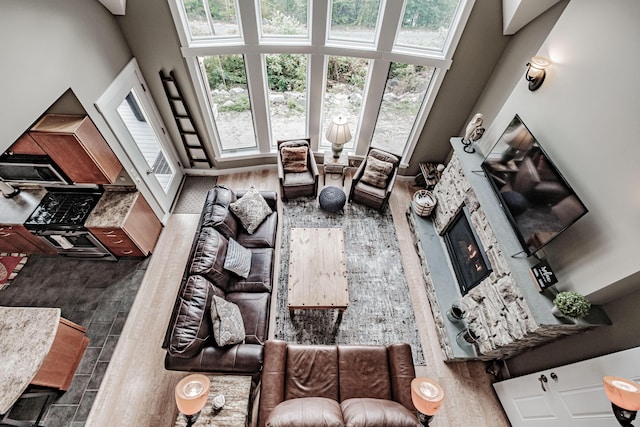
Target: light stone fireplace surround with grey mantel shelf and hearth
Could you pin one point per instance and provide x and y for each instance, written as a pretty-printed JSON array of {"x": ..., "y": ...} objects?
[{"x": 506, "y": 307}]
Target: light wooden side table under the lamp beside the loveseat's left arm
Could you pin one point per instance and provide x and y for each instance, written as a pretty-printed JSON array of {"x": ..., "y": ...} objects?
[{"x": 235, "y": 412}]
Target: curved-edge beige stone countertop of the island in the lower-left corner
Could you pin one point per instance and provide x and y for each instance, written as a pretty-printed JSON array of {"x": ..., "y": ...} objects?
[{"x": 26, "y": 335}]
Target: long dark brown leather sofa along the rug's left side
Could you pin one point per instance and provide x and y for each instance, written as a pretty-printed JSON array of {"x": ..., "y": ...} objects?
[{"x": 189, "y": 339}]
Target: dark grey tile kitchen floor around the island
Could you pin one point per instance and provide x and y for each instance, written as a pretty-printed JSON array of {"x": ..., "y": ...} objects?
[{"x": 95, "y": 294}]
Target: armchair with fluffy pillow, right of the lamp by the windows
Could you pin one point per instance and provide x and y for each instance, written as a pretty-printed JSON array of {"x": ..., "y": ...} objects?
[{"x": 374, "y": 179}]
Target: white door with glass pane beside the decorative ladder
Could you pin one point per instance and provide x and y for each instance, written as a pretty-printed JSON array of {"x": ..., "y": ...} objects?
[{"x": 133, "y": 118}]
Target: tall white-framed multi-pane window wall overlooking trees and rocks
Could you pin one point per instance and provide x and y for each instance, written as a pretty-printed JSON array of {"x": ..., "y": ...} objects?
[{"x": 266, "y": 70}]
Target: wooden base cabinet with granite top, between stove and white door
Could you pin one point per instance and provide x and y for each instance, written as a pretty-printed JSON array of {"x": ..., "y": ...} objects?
[{"x": 125, "y": 223}]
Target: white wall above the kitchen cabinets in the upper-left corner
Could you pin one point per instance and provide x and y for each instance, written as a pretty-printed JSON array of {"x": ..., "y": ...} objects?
[{"x": 48, "y": 47}]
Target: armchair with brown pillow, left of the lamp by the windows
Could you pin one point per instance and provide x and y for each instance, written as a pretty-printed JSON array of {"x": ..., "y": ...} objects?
[{"x": 297, "y": 169}]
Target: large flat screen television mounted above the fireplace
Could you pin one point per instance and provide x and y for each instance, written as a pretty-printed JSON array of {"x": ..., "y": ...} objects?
[{"x": 539, "y": 203}]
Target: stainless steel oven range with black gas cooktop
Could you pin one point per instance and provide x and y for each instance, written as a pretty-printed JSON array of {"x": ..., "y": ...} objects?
[{"x": 59, "y": 221}]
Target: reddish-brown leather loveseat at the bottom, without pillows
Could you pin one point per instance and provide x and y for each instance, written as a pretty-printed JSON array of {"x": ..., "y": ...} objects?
[{"x": 336, "y": 385}]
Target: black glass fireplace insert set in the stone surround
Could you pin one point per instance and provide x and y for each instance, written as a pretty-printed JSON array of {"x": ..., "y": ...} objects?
[{"x": 467, "y": 255}]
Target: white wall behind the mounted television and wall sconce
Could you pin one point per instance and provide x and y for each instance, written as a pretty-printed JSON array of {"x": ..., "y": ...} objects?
[{"x": 584, "y": 116}]
